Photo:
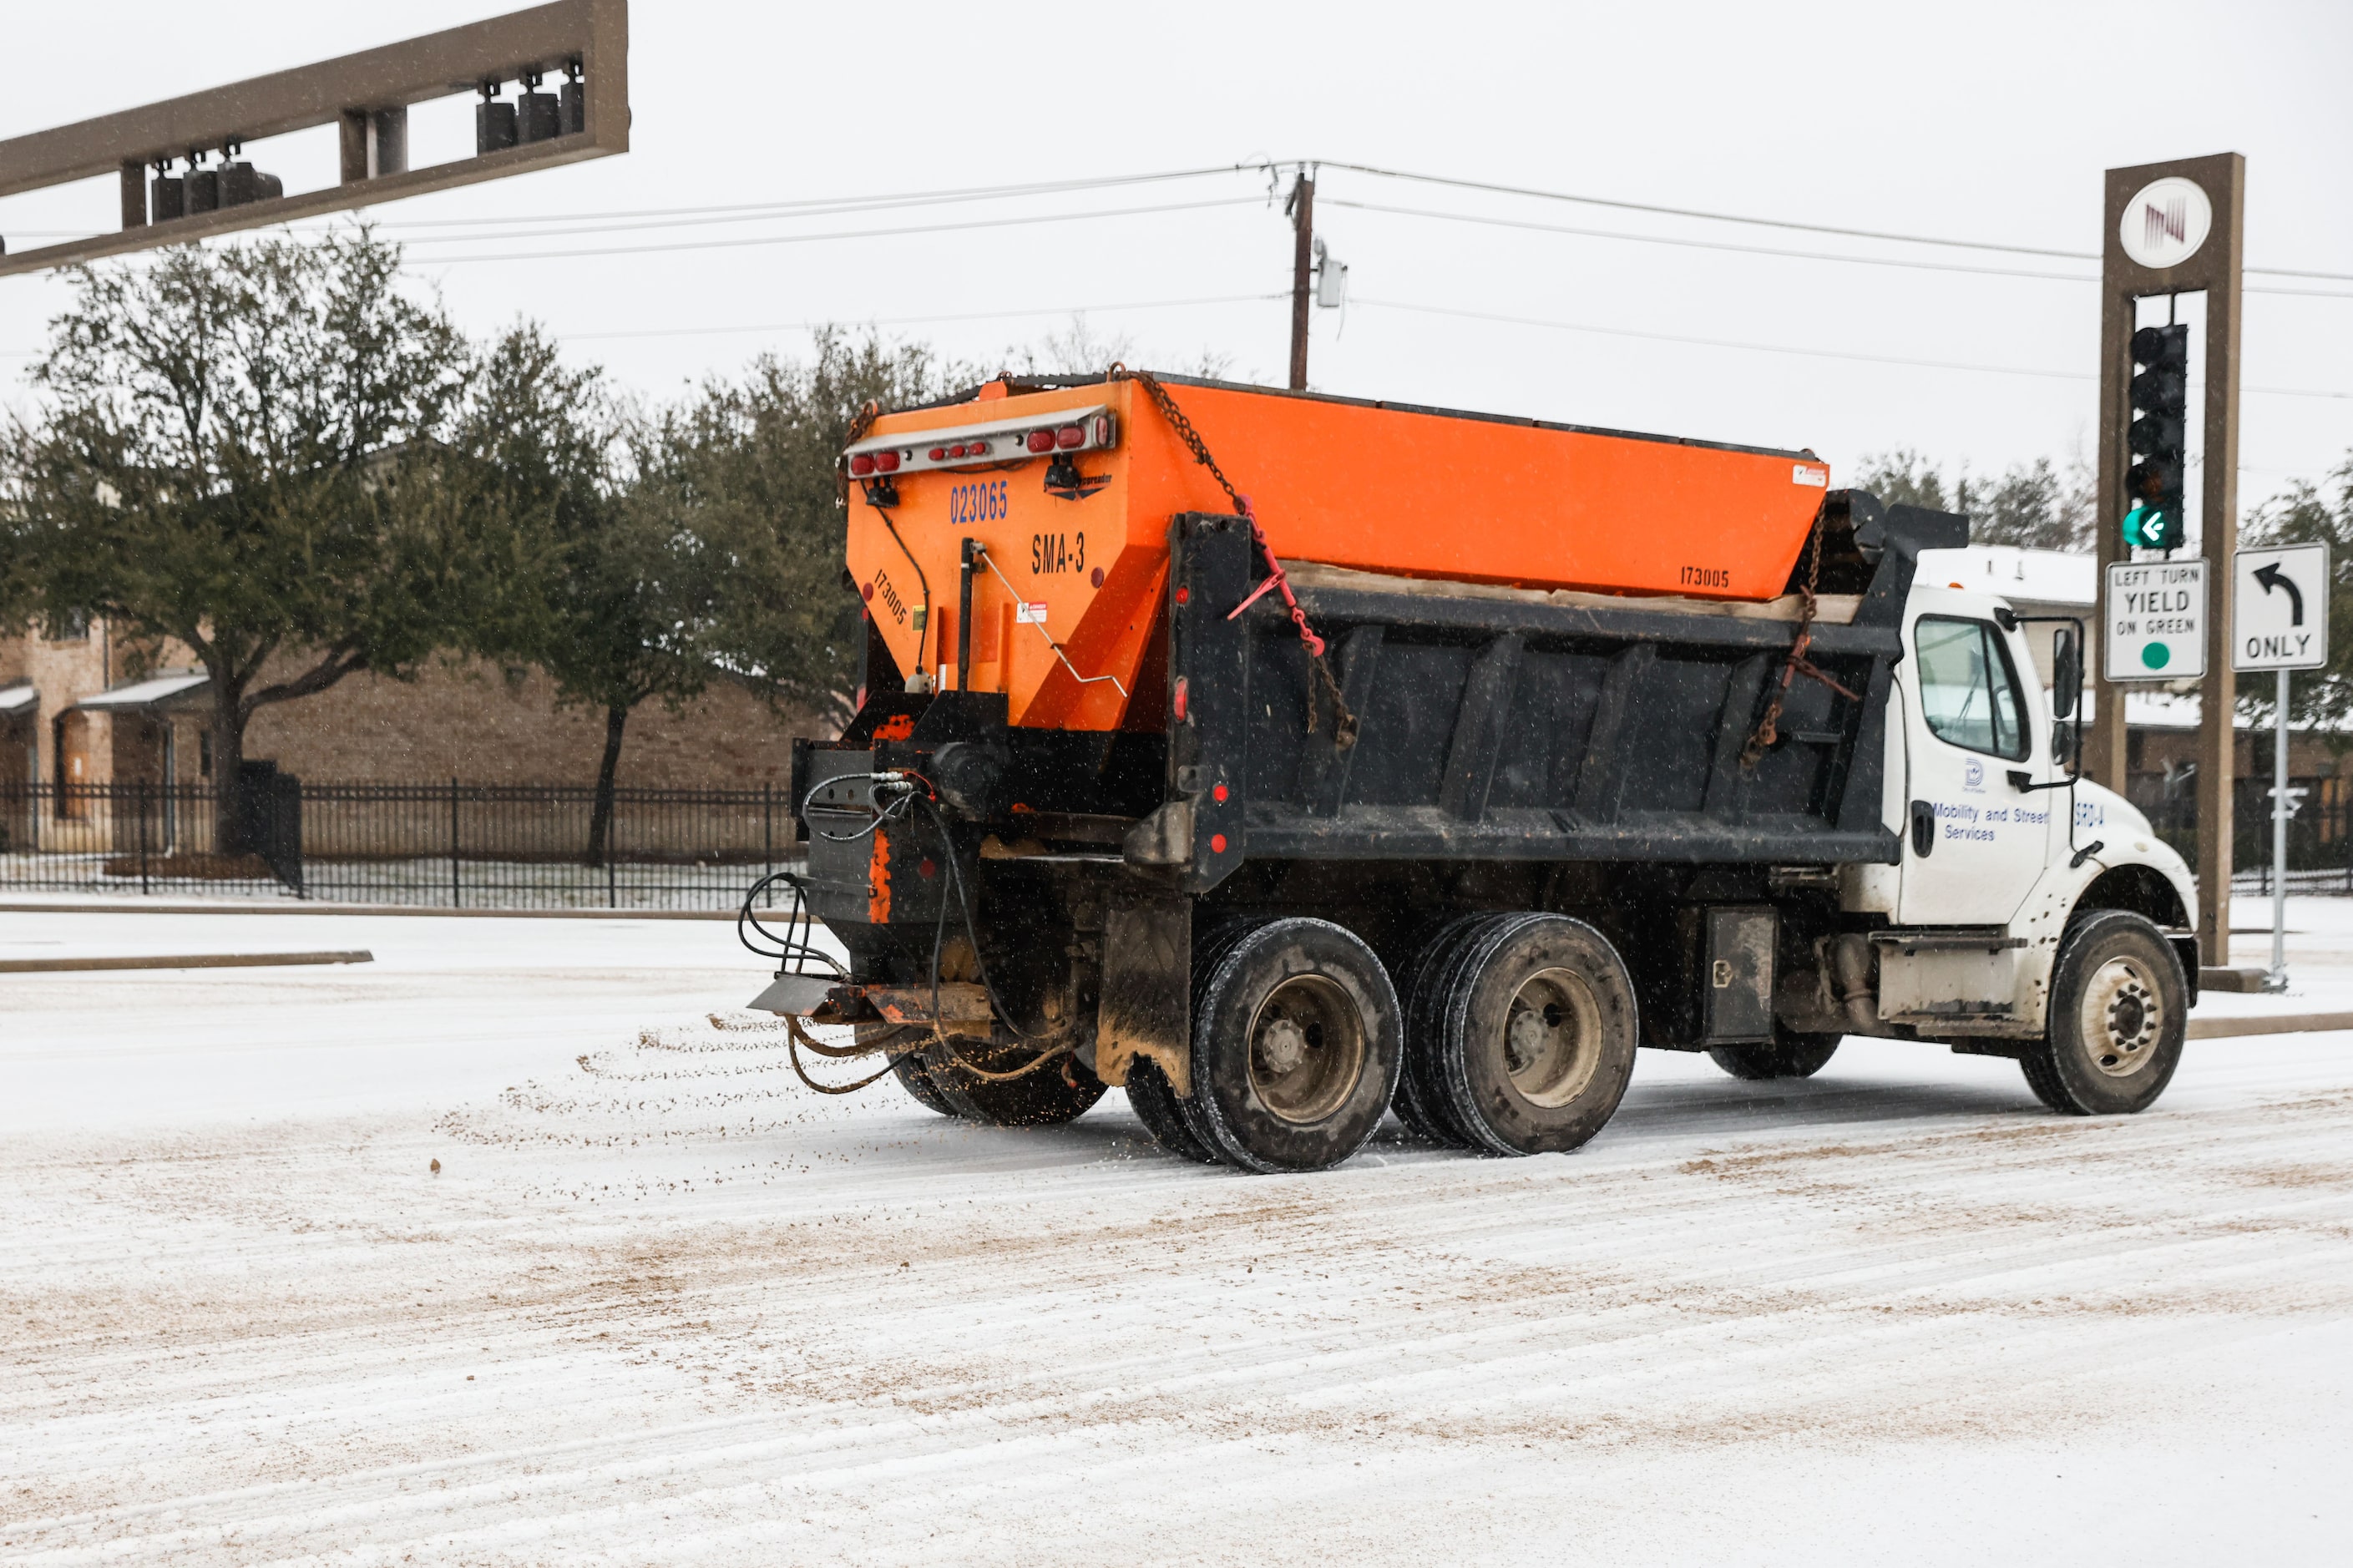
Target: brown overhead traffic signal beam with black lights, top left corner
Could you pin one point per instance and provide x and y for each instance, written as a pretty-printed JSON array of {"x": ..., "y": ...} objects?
[{"x": 164, "y": 152}]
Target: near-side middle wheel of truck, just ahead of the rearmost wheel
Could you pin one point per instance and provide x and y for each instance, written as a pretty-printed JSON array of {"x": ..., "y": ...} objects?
[{"x": 1535, "y": 1035}]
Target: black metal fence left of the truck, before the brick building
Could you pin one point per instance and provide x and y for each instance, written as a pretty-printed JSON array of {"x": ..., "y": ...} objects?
[{"x": 458, "y": 846}]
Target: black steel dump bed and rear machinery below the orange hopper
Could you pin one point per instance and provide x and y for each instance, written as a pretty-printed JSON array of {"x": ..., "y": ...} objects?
[{"x": 1488, "y": 726}]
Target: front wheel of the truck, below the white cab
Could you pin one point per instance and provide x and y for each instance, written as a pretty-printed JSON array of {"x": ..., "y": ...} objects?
[{"x": 2117, "y": 1023}]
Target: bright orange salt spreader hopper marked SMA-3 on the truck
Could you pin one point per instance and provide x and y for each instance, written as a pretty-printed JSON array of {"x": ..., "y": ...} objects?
[{"x": 1069, "y": 493}]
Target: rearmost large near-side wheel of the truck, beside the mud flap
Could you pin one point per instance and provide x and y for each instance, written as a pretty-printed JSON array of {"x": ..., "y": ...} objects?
[{"x": 1295, "y": 1047}]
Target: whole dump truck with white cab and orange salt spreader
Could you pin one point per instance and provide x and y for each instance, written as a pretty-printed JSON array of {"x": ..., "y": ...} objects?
[{"x": 1293, "y": 759}]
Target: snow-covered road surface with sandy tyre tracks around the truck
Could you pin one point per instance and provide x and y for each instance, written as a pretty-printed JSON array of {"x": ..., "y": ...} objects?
[{"x": 662, "y": 1305}]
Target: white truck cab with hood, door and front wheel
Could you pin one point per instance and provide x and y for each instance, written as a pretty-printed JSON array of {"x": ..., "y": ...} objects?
[{"x": 2032, "y": 908}]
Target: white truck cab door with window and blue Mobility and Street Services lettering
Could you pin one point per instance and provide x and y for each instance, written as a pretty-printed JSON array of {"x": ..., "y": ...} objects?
[{"x": 1973, "y": 844}]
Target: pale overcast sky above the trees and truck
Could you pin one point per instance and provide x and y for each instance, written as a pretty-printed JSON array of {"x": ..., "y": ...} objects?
[{"x": 1982, "y": 121}]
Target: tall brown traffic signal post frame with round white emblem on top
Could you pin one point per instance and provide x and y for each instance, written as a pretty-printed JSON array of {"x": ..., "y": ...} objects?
[{"x": 2213, "y": 267}]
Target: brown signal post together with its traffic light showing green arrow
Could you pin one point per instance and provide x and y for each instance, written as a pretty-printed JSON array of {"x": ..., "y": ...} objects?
[{"x": 2173, "y": 232}]
